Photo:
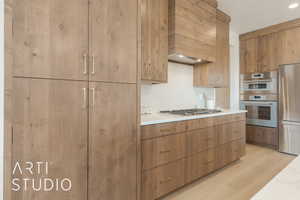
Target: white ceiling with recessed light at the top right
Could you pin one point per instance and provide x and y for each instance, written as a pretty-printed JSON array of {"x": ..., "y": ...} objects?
[{"x": 250, "y": 15}]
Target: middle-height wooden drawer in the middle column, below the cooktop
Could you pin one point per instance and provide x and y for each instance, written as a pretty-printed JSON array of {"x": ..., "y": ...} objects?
[{"x": 200, "y": 140}]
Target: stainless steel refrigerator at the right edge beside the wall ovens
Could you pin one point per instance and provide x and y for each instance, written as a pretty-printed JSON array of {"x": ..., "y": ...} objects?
[{"x": 289, "y": 109}]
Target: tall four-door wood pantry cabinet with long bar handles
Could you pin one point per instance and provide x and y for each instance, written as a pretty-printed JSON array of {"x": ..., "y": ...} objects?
[{"x": 75, "y": 96}]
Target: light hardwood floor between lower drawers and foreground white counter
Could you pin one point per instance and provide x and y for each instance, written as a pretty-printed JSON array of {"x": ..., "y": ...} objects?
[{"x": 238, "y": 181}]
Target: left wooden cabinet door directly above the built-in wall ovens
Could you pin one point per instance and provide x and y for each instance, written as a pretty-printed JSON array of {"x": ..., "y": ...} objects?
[{"x": 248, "y": 55}]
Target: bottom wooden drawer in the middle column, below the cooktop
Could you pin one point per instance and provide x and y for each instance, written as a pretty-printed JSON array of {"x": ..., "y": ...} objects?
[{"x": 200, "y": 165}]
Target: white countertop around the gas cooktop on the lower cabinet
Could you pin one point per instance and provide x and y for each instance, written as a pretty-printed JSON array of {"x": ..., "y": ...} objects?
[{"x": 158, "y": 118}]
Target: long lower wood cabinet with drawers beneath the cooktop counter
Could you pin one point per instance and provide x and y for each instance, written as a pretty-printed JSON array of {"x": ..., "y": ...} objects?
[{"x": 188, "y": 150}]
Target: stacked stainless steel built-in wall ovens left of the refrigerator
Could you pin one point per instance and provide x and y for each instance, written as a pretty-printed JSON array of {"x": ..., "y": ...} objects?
[{"x": 259, "y": 96}]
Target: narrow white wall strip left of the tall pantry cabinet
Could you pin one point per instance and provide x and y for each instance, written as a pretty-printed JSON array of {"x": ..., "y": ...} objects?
[{"x": 1, "y": 96}]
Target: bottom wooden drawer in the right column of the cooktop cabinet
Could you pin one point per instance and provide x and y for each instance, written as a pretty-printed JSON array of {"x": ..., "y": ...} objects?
[{"x": 230, "y": 152}]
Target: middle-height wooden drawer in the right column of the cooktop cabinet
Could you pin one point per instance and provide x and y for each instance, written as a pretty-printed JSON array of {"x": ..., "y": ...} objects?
[{"x": 229, "y": 132}]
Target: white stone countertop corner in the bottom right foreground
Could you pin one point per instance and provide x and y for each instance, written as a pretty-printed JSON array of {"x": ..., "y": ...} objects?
[{"x": 284, "y": 186}]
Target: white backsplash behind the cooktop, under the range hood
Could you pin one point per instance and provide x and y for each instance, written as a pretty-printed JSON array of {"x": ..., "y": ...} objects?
[{"x": 178, "y": 93}]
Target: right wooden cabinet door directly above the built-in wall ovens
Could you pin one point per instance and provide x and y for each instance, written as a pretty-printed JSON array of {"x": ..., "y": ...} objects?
[{"x": 268, "y": 53}]
